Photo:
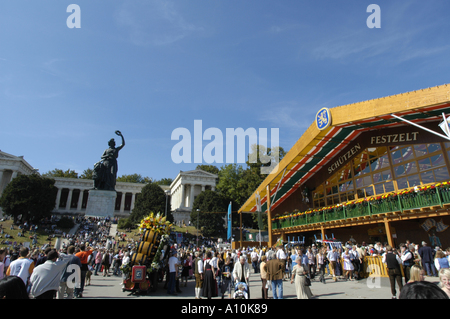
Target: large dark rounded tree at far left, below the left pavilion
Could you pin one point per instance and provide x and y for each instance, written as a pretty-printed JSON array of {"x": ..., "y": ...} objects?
[{"x": 30, "y": 197}]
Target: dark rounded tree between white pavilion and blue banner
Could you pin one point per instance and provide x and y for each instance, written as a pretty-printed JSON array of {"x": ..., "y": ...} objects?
[{"x": 212, "y": 208}]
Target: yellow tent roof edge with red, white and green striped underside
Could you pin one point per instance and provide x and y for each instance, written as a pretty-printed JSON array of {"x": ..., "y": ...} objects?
[{"x": 315, "y": 148}]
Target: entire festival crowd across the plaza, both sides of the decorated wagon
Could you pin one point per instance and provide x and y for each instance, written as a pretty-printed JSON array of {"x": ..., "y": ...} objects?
[{"x": 47, "y": 272}]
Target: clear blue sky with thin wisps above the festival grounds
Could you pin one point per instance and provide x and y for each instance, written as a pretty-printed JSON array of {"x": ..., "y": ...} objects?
[{"x": 148, "y": 67}]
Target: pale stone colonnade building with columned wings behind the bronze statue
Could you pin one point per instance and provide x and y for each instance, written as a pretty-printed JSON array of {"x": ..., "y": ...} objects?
[{"x": 73, "y": 193}]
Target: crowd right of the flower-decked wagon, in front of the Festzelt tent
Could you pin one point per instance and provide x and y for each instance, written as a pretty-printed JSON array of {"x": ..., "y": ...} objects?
[{"x": 223, "y": 271}]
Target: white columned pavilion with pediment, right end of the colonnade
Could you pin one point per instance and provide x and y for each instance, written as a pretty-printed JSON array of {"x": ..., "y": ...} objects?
[{"x": 185, "y": 187}]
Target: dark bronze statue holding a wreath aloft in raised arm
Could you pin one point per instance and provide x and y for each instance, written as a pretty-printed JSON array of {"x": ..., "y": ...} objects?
[{"x": 105, "y": 170}]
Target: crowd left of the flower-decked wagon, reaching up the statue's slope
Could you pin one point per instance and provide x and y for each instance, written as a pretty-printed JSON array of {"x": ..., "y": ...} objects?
[{"x": 44, "y": 272}]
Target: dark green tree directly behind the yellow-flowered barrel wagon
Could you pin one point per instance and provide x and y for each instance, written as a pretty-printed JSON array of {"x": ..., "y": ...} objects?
[{"x": 151, "y": 199}]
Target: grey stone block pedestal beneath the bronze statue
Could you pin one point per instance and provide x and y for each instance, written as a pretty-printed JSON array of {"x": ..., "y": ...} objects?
[{"x": 101, "y": 203}]
